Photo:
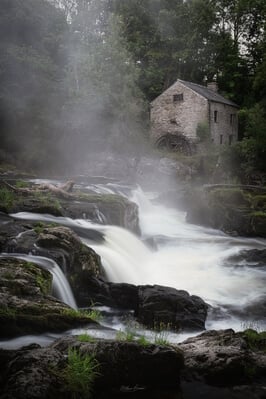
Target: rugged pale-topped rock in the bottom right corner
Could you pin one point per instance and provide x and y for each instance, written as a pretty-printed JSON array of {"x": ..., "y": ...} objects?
[{"x": 222, "y": 358}]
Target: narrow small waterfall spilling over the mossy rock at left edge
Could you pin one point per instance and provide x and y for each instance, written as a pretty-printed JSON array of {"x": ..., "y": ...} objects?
[{"x": 61, "y": 287}]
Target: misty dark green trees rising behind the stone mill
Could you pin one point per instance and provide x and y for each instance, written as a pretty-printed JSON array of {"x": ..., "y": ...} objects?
[{"x": 77, "y": 75}]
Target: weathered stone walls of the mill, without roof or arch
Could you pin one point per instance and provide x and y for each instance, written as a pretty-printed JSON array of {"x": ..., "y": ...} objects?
[{"x": 189, "y": 110}]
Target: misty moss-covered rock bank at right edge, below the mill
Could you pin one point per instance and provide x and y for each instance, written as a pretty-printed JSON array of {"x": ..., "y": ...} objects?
[{"x": 234, "y": 210}]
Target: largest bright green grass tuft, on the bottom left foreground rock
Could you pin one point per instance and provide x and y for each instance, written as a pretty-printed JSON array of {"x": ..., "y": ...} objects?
[{"x": 80, "y": 374}]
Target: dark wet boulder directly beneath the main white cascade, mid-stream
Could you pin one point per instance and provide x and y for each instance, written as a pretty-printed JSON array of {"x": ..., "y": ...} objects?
[{"x": 153, "y": 306}]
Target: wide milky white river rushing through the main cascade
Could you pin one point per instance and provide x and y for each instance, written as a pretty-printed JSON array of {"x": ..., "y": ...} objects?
[{"x": 182, "y": 255}]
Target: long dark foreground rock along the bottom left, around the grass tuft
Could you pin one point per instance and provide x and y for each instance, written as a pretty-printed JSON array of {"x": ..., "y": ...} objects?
[{"x": 35, "y": 372}]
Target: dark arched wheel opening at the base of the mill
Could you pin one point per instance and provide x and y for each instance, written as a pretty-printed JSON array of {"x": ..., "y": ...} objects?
[{"x": 175, "y": 142}]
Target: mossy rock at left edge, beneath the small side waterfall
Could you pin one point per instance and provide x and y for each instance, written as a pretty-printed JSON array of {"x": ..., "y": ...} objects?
[{"x": 27, "y": 306}]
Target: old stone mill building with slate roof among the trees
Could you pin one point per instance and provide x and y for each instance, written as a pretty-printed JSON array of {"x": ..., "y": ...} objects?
[{"x": 186, "y": 110}]
